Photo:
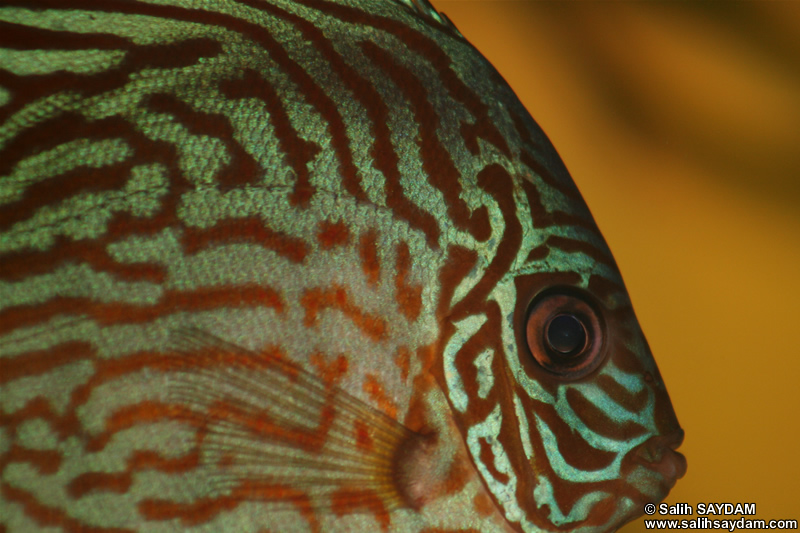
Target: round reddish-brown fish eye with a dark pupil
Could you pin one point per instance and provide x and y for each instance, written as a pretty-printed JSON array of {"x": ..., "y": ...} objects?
[{"x": 564, "y": 334}]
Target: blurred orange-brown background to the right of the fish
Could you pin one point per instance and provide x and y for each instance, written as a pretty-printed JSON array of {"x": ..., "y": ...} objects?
[{"x": 680, "y": 123}]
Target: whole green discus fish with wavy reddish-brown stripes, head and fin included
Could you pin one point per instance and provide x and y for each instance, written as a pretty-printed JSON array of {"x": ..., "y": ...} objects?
[{"x": 301, "y": 266}]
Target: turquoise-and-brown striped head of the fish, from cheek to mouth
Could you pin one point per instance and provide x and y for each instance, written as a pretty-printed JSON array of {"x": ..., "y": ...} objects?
[{"x": 575, "y": 431}]
